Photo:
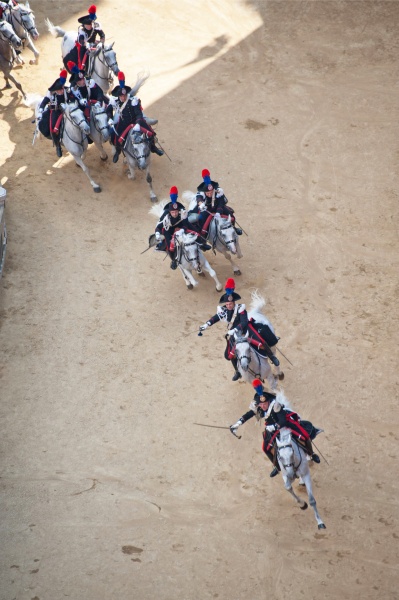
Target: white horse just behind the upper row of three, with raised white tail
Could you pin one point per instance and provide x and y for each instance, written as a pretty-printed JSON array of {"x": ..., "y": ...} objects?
[{"x": 102, "y": 60}]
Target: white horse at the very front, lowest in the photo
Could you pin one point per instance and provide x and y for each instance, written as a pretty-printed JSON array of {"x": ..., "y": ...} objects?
[{"x": 293, "y": 463}]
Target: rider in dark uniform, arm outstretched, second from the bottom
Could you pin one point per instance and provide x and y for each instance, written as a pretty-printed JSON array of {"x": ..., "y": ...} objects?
[{"x": 236, "y": 316}]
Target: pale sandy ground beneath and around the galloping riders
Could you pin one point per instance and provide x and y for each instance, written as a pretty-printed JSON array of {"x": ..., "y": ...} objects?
[{"x": 108, "y": 489}]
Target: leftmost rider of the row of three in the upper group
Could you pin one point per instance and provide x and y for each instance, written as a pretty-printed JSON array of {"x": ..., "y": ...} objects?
[{"x": 50, "y": 113}]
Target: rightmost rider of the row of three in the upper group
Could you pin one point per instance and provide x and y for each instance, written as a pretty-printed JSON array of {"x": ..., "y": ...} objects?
[{"x": 128, "y": 114}]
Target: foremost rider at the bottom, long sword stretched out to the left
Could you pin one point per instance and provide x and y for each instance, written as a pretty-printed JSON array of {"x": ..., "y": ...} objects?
[{"x": 276, "y": 415}]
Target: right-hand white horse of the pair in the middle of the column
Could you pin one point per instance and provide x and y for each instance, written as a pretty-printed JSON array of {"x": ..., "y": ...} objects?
[{"x": 221, "y": 233}]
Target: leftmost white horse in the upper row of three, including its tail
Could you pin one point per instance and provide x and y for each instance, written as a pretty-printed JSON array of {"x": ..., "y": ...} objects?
[{"x": 75, "y": 130}]
